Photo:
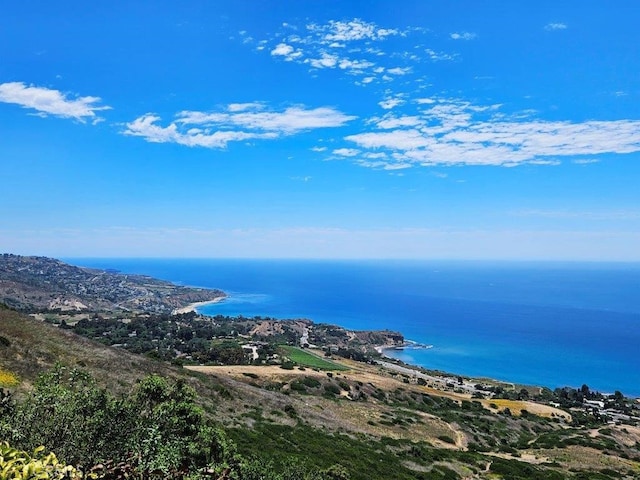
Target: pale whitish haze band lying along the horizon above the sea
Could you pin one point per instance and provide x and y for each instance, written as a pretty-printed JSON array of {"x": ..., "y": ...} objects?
[{"x": 329, "y": 241}]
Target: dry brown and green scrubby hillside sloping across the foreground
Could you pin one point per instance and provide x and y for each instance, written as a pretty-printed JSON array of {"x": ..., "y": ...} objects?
[{"x": 358, "y": 416}]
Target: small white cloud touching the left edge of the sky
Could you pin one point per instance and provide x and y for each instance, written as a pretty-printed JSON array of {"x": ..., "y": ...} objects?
[{"x": 51, "y": 102}]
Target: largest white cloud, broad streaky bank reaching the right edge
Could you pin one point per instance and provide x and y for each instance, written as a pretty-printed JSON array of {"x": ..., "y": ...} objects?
[{"x": 455, "y": 132}]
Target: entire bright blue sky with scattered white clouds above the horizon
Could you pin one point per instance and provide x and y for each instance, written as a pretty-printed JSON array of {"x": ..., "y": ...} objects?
[{"x": 332, "y": 129}]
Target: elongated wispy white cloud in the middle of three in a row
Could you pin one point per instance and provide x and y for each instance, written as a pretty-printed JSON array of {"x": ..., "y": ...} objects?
[{"x": 238, "y": 122}]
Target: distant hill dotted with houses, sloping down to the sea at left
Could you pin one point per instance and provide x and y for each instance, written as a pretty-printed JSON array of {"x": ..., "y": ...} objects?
[{"x": 34, "y": 283}]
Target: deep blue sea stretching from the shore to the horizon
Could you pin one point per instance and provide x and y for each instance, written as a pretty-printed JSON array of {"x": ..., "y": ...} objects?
[{"x": 551, "y": 324}]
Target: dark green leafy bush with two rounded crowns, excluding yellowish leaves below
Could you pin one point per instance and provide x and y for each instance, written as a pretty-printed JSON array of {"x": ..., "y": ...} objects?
[{"x": 157, "y": 427}]
